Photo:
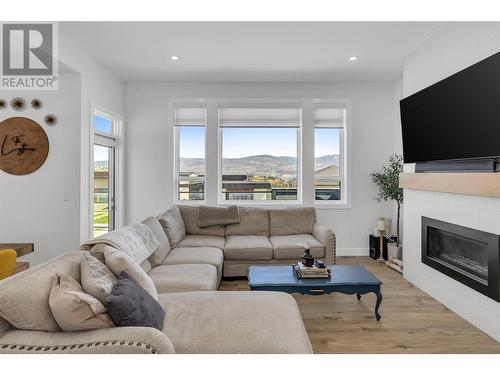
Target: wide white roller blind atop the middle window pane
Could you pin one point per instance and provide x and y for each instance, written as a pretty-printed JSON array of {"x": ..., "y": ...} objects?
[{"x": 259, "y": 117}]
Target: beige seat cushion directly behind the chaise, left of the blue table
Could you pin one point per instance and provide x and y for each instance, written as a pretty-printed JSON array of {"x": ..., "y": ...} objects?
[{"x": 184, "y": 278}]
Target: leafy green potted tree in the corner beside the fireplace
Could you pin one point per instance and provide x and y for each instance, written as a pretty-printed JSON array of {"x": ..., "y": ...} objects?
[{"x": 387, "y": 181}]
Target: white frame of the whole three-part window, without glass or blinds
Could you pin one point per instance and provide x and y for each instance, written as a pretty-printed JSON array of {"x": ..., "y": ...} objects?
[{"x": 305, "y": 146}]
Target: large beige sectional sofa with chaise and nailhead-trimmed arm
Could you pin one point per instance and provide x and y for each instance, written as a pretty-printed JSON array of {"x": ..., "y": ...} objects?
[{"x": 198, "y": 318}]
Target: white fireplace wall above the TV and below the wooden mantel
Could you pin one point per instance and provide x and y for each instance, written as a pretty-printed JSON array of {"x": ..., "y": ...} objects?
[{"x": 455, "y": 47}]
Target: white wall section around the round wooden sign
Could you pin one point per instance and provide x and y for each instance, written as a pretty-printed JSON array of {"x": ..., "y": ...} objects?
[{"x": 33, "y": 207}]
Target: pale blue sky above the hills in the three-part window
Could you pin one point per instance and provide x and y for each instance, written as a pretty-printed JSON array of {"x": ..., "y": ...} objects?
[{"x": 241, "y": 142}]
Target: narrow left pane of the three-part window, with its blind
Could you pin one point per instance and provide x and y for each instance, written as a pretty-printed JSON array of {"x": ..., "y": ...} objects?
[{"x": 190, "y": 126}]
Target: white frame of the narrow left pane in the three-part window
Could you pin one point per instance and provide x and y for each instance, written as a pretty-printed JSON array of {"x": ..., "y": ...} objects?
[{"x": 176, "y": 149}]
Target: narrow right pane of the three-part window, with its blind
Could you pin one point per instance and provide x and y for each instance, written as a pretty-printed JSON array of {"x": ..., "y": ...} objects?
[{"x": 329, "y": 124}]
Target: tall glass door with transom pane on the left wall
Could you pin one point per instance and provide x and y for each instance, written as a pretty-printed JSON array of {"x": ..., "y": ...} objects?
[{"x": 104, "y": 173}]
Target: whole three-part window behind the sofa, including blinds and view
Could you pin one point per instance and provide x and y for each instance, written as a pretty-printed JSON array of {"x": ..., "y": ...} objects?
[{"x": 266, "y": 150}]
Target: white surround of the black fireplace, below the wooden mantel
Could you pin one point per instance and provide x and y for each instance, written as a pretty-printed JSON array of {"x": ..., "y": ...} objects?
[{"x": 482, "y": 213}]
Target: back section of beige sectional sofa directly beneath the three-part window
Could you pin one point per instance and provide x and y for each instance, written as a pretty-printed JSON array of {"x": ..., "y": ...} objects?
[{"x": 262, "y": 236}]
